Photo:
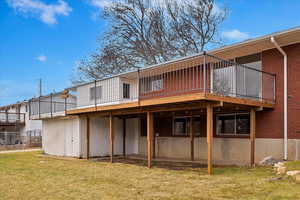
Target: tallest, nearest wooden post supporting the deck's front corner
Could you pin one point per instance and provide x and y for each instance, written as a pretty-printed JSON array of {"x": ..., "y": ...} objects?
[{"x": 209, "y": 136}]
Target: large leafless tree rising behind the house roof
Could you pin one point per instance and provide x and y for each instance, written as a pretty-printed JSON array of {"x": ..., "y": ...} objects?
[{"x": 142, "y": 34}]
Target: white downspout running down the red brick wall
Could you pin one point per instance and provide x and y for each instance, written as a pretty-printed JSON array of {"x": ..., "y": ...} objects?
[{"x": 285, "y": 112}]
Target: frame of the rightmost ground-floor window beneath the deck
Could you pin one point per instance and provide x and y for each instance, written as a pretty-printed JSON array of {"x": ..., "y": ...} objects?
[{"x": 235, "y": 124}]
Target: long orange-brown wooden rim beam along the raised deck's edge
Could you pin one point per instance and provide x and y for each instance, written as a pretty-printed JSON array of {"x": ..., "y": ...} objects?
[{"x": 142, "y": 104}]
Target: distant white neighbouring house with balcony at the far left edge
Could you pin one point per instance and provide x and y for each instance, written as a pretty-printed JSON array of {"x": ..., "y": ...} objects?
[{"x": 16, "y": 128}]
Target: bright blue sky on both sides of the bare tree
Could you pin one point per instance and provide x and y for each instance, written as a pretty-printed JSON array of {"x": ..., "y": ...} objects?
[{"x": 45, "y": 38}]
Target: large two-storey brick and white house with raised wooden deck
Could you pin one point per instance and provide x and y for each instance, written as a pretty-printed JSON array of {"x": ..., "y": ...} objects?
[{"x": 232, "y": 105}]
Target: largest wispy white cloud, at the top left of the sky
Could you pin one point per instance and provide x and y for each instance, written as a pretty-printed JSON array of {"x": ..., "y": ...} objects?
[{"x": 46, "y": 12}]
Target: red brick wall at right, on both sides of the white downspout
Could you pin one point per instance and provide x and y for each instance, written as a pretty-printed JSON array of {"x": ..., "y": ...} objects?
[{"x": 270, "y": 122}]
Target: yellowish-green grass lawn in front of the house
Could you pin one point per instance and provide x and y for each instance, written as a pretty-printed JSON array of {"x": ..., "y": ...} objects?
[{"x": 31, "y": 175}]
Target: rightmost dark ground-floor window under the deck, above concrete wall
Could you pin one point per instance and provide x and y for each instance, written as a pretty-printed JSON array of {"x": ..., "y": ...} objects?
[{"x": 233, "y": 124}]
